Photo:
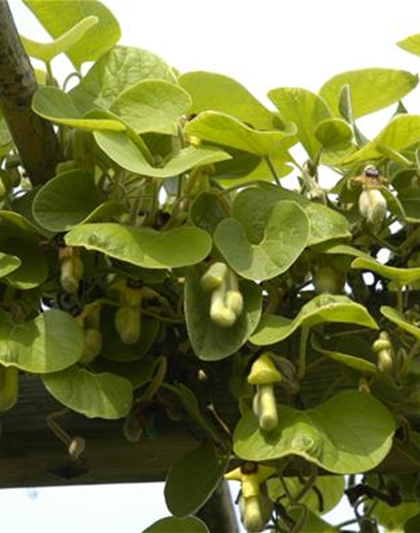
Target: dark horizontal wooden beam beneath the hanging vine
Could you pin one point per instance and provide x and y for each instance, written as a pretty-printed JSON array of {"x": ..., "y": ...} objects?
[{"x": 30, "y": 455}]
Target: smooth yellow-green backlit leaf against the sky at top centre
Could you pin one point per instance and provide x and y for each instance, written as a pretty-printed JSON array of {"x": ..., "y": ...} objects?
[{"x": 217, "y": 92}]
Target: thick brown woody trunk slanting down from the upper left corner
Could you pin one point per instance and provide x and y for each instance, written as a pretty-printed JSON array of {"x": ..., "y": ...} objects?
[{"x": 33, "y": 136}]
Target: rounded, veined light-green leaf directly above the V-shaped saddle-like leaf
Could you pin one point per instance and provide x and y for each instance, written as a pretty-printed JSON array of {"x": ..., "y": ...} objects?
[{"x": 152, "y": 106}]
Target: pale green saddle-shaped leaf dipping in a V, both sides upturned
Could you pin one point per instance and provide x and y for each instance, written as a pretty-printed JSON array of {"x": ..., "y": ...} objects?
[{"x": 121, "y": 149}]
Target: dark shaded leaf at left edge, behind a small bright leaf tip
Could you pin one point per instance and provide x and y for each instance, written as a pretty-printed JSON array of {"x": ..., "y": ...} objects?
[{"x": 33, "y": 270}]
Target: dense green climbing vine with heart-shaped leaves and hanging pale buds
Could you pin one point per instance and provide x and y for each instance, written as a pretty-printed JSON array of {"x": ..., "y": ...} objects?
[{"x": 171, "y": 249}]
